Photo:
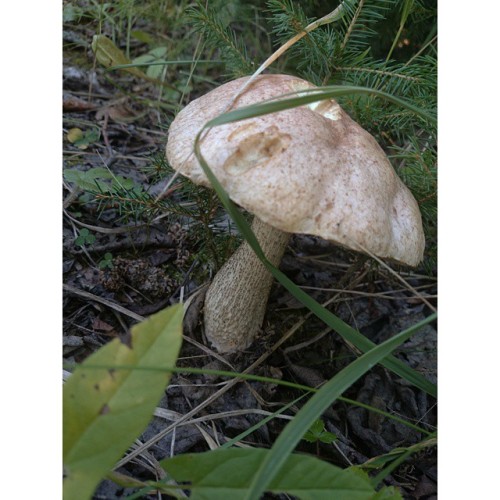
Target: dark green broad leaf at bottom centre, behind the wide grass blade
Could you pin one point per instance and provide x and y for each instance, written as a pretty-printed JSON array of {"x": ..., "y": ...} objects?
[{"x": 228, "y": 473}]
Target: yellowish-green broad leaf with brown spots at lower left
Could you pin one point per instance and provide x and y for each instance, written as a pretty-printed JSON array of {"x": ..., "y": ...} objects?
[{"x": 106, "y": 409}]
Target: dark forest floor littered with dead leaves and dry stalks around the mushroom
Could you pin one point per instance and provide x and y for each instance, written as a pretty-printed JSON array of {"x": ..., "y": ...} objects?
[{"x": 117, "y": 271}]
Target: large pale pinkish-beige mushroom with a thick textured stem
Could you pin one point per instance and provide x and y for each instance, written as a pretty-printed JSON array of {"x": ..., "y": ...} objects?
[{"x": 310, "y": 170}]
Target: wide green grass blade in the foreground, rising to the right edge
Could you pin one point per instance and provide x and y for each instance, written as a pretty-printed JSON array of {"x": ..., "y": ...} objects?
[{"x": 313, "y": 409}]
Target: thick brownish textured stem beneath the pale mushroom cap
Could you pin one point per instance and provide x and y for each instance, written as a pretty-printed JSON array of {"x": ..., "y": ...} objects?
[{"x": 236, "y": 300}]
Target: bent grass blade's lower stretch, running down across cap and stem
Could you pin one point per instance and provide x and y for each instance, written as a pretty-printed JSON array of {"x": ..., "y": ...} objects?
[{"x": 343, "y": 329}]
